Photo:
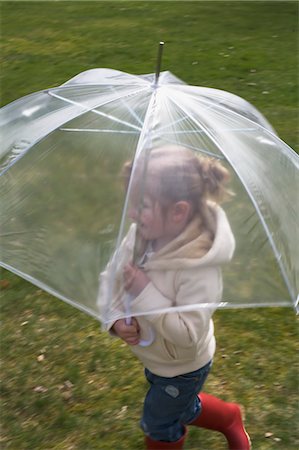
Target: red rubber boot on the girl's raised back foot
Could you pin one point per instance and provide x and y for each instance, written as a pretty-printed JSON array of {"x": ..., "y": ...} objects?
[{"x": 223, "y": 417}]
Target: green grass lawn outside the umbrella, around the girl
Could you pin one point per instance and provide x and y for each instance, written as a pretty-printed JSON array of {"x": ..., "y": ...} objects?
[{"x": 65, "y": 384}]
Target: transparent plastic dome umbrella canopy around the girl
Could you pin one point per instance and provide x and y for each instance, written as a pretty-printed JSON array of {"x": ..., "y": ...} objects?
[{"x": 64, "y": 208}]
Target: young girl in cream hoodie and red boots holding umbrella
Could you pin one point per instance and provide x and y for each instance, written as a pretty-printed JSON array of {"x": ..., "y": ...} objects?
[{"x": 182, "y": 239}]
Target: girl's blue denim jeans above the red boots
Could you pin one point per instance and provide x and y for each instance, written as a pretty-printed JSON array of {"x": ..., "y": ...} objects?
[{"x": 171, "y": 403}]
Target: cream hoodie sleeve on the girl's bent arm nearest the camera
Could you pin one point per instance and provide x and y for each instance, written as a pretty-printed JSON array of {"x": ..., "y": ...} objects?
[{"x": 198, "y": 293}]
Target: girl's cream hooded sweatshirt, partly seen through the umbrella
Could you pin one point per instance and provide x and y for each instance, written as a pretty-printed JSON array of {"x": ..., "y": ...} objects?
[{"x": 184, "y": 274}]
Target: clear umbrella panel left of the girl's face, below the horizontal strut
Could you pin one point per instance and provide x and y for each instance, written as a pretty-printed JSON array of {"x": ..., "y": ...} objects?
[{"x": 61, "y": 209}]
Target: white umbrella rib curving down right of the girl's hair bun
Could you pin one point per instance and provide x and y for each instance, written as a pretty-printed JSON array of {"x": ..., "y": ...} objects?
[{"x": 264, "y": 223}]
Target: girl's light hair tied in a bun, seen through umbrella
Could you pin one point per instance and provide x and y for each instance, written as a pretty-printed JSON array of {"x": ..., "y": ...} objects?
[{"x": 171, "y": 173}]
